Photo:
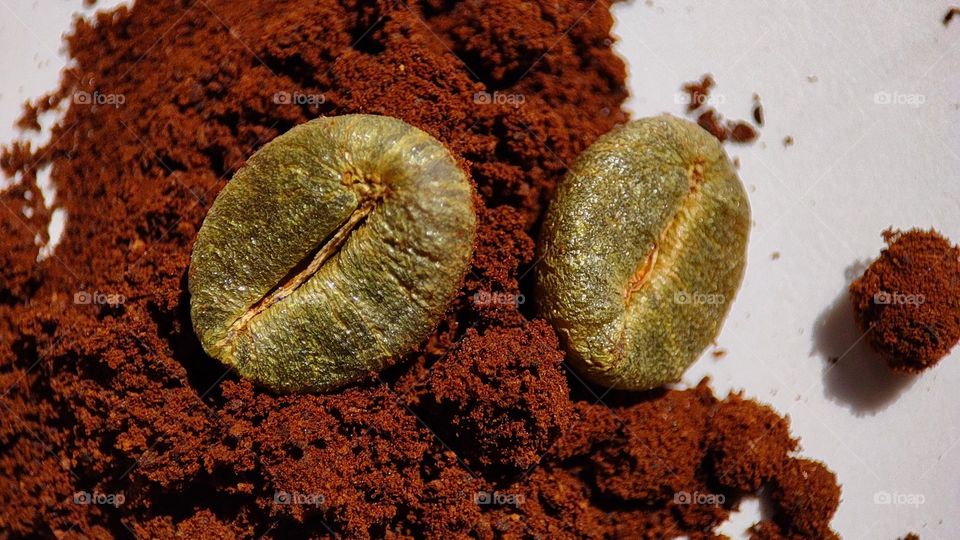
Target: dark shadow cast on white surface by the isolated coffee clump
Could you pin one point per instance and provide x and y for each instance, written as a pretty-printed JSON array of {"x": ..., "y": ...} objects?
[{"x": 859, "y": 378}]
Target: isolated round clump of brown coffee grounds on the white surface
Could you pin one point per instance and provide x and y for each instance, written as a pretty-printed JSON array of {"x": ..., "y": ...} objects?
[{"x": 908, "y": 300}]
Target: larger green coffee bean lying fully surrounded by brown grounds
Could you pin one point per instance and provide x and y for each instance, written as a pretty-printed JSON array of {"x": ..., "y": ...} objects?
[{"x": 333, "y": 251}]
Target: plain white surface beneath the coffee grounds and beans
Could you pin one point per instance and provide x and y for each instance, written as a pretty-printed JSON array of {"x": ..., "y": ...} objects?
[{"x": 856, "y": 168}]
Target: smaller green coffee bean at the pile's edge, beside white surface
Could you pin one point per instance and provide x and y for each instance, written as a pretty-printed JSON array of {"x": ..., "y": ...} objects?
[{"x": 643, "y": 248}]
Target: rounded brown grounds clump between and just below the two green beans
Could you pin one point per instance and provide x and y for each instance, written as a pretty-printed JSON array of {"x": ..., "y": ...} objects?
[{"x": 502, "y": 390}]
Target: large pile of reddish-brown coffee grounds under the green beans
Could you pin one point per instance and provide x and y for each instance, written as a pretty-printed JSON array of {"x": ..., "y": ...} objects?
[{"x": 116, "y": 422}]
